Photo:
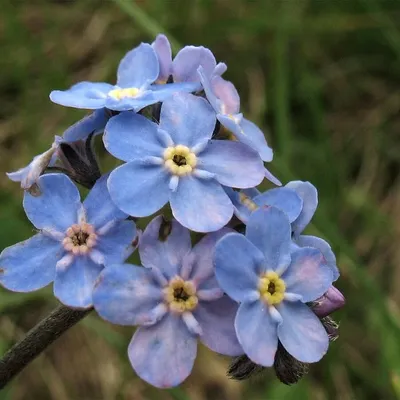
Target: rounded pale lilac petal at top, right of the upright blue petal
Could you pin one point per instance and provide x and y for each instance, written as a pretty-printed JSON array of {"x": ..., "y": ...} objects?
[{"x": 187, "y": 62}]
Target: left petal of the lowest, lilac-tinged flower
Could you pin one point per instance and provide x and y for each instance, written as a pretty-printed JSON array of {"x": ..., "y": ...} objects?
[{"x": 126, "y": 295}]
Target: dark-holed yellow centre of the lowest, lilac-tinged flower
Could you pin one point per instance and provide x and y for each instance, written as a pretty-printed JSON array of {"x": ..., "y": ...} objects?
[{"x": 180, "y": 295}]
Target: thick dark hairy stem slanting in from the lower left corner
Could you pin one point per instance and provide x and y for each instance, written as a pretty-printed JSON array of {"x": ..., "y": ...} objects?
[{"x": 37, "y": 340}]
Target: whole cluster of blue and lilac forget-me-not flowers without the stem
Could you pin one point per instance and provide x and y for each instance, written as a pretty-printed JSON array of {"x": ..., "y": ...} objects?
[{"x": 191, "y": 159}]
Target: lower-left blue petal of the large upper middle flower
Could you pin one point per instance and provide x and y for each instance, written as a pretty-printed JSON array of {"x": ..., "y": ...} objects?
[{"x": 139, "y": 189}]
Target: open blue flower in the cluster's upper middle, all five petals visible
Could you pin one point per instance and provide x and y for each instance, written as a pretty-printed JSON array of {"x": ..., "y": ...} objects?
[{"x": 177, "y": 162}]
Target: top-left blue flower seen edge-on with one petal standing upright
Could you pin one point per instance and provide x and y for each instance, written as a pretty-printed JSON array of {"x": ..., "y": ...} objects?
[{"x": 133, "y": 91}]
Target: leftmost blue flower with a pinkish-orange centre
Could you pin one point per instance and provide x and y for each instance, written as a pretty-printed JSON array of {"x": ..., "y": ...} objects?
[{"x": 74, "y": 242}]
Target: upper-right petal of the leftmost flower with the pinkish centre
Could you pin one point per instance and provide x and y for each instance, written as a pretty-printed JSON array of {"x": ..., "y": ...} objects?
[{"x": 99, "y": 207}]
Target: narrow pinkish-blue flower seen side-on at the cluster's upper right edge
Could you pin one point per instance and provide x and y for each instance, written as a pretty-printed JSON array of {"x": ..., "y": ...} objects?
[{"x": 225, "y": 100}]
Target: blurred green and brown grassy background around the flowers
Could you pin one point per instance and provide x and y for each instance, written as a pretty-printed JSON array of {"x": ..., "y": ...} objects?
[{"x": 321, "y": 77}]
